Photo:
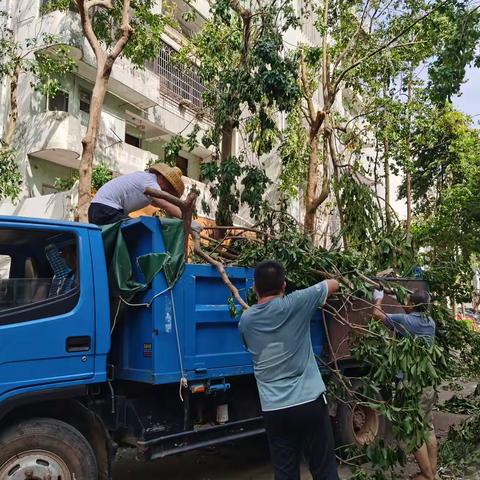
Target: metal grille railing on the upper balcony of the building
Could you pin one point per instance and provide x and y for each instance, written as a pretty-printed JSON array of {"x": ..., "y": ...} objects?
[{"x": 181, "y": 83}]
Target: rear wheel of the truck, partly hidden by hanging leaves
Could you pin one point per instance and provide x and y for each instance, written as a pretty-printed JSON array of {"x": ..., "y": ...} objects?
[{"x": 357, "y": 424}]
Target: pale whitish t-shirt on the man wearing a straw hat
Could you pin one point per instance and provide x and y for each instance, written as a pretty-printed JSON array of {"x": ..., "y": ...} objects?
[{"x": 126, "y": 192}]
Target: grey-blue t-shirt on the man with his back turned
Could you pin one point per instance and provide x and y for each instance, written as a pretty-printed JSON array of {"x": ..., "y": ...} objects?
[{"x": 277, "y": 334}]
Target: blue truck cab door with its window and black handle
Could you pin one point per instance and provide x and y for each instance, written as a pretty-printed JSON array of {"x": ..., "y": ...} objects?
[{"x": 47, "y": 321}]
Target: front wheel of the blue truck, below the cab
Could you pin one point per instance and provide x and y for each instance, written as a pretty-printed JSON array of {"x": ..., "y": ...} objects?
[{"x": 41, "y": 448}]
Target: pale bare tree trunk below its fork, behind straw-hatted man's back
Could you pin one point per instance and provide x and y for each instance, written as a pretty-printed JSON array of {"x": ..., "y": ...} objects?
[{"x": 89, "y": 142}]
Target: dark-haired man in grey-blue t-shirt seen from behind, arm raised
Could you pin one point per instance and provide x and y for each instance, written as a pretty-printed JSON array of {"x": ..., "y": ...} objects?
[{"x": 276, "y": 331}]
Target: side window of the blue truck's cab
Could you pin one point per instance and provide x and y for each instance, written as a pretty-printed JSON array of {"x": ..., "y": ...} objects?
[{"x": 37, "y": 268}]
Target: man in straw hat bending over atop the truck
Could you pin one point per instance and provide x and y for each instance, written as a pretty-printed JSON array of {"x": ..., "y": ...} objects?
[{"x": 125, "y": 194}]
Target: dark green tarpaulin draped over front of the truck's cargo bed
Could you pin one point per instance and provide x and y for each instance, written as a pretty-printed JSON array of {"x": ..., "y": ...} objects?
[{"x": 120, "y": 271}]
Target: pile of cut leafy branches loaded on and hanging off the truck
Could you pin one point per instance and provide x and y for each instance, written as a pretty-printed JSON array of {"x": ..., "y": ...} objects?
[{"x": 280, "y": 238}]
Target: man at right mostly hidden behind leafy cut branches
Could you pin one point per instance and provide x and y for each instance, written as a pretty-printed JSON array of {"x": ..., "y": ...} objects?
[{"x": 418, "y": 323}]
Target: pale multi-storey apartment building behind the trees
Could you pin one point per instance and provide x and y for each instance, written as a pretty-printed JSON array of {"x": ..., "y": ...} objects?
[{"x": 143, "y": 109}]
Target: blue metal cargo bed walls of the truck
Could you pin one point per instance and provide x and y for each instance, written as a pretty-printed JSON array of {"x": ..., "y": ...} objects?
[{"x": 189, "y": 327}]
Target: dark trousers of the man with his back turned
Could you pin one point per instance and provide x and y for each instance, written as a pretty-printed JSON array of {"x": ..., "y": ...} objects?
[{"x": 305, "y": 429}]
